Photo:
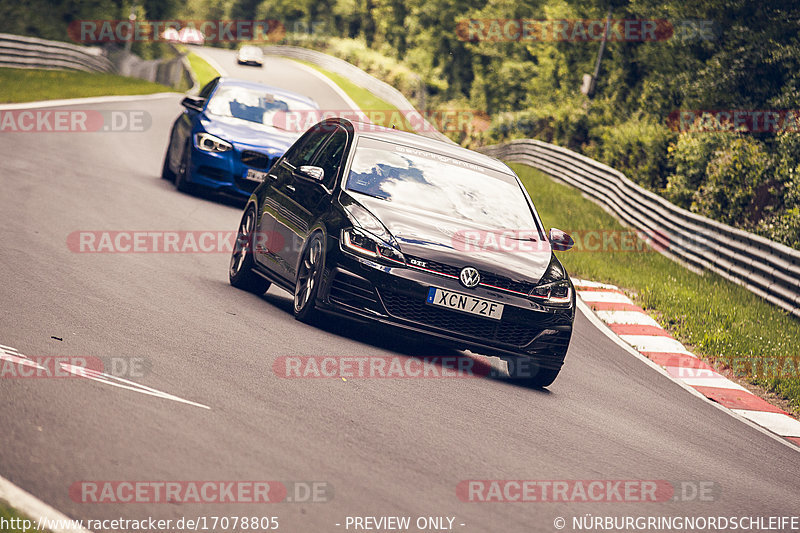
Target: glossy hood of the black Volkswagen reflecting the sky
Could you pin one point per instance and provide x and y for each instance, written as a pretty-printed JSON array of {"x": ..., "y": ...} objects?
[{"x": 440, "y": 238}]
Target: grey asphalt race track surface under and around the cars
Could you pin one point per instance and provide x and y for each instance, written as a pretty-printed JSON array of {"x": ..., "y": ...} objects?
[{"x": 394, "y": 447}]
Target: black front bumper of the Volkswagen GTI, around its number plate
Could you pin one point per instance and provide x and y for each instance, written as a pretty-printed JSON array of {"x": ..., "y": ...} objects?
[{"x": 397, "y": 297}]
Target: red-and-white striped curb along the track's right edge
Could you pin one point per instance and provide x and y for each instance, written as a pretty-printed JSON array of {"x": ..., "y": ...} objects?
[{"x": 645, "y": 335}]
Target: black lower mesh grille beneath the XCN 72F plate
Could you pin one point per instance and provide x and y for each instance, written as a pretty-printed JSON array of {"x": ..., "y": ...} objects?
[{"x": 517, "y": 333}]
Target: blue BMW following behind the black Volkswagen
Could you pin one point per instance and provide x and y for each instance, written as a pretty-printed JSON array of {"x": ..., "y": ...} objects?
[{"x": 228, "y": 136}]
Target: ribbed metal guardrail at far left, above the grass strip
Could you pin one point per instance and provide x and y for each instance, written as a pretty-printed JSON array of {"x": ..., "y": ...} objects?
[{"x": 30, "y": 52}]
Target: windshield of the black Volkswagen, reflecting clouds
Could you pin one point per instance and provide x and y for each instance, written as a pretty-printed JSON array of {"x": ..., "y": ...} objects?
[{"x": 435, "y": 183}]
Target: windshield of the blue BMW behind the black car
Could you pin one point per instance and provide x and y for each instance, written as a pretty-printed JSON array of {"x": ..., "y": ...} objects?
[{"x": 252, "y": 105}]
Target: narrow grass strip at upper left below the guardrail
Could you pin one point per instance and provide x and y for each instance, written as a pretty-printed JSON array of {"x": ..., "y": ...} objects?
[{"x": 29, "y": 85}]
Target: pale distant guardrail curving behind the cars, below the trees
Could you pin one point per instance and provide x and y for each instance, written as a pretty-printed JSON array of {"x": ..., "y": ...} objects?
[{"x": 361, "y": 78}]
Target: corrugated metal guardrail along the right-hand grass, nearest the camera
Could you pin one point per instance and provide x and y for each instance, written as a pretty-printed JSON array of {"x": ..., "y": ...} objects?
[{"x": 766, "y": 268}]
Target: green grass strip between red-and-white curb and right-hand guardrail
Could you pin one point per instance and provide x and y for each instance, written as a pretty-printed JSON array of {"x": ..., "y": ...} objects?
[{"x": 720, "y": 321}]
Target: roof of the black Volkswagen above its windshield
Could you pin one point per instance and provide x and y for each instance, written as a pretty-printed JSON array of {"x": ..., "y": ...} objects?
[{"x": 414, "y": 140}]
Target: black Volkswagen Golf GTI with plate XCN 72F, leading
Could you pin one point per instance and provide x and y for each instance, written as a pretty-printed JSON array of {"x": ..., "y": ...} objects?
[{"x": 396, "y": 228}]
